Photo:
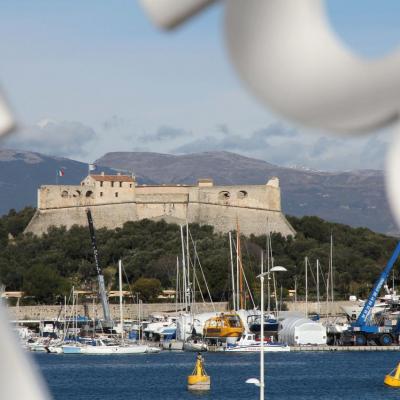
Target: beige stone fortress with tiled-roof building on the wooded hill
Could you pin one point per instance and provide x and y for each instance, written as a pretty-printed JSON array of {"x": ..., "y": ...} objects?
[{"x": 116, "y": 199}]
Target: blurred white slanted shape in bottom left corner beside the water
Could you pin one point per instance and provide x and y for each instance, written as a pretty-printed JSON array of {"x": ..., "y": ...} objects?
[{"x": 18, "y": 377}]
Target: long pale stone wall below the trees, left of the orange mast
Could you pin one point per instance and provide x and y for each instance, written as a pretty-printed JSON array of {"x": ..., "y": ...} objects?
[{"x": 130, "y": 310}]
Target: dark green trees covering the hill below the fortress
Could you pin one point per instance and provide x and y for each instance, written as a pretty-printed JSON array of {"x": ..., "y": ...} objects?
[{"x": 47, "y": 267}]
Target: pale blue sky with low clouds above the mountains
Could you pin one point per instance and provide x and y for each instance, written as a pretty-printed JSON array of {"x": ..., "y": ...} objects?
[{"x": 88, "y": 77}]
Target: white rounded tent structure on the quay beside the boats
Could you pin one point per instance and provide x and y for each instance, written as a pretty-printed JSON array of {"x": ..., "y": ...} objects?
[{"x": 302, "y": 331}]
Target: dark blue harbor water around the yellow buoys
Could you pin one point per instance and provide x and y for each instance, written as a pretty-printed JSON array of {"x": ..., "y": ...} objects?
[{"x": 341, "y": 376}]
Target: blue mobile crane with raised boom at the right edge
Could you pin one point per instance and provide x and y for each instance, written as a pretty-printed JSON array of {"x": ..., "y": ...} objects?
[{"x": 363, "y": 329}]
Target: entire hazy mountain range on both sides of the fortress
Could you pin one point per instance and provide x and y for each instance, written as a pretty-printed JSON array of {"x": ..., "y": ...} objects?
[{"x": 355, "y": 198}]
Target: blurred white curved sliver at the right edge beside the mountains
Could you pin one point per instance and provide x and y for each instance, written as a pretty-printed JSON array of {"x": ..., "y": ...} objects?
[{"x": 393, "y": 175}]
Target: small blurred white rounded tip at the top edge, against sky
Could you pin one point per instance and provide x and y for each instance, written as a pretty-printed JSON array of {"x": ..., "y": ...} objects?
[{"x": 167, "y": 14}]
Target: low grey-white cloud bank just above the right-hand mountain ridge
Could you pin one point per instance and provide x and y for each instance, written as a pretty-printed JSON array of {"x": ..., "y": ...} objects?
[{"x": 283, "y": 145}]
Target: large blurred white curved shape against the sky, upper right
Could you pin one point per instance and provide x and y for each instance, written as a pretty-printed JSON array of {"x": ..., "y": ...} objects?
[{"x": 288, "y": 56}]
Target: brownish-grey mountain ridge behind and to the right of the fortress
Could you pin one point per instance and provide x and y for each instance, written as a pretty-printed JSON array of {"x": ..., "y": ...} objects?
[{"x": 356, "y": 198}]
